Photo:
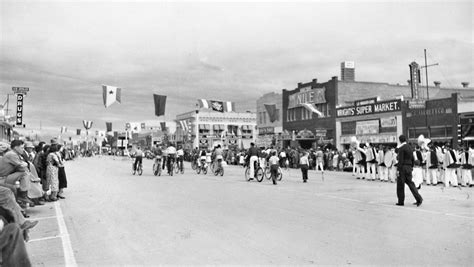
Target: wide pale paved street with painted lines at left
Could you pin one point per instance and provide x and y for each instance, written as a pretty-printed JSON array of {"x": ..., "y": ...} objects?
[{"x": 111, "y": 217}]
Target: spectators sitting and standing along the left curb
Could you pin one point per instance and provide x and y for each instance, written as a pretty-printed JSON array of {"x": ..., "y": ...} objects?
[{"x": 30, "y": 175}]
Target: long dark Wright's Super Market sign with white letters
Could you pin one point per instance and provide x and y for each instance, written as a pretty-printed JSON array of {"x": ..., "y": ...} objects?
[{"x": 374, "y": 108}]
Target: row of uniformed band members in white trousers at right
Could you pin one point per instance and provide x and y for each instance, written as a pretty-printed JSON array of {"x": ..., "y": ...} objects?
[{"x": 434, "y": 163}]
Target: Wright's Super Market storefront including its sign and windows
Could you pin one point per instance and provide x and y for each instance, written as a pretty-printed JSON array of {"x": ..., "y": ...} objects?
[{"x": 376, "y": 123}]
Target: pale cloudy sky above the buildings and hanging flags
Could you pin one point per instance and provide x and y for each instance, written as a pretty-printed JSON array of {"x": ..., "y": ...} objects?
[{"x": 65, "y": 51}]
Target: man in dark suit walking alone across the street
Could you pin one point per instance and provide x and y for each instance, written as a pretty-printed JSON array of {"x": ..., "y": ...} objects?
[{"x": 405, "y": 168}]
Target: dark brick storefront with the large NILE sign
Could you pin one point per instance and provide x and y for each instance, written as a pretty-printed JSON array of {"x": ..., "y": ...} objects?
[{"x": 309, "y": 114}]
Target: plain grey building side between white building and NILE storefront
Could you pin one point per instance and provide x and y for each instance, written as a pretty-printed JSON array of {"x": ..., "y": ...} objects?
[{"x": 269, "y": 120}]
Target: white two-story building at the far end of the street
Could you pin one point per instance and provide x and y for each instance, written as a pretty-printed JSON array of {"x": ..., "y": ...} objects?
[{"x": 207, "y": 129}]
